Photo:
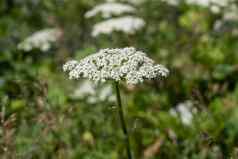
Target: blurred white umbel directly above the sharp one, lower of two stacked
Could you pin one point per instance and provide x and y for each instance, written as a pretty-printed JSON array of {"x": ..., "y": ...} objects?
[{"x": 127, "y": 24}]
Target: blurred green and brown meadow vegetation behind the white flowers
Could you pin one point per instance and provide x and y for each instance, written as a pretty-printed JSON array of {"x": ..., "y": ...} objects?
[{"x": 40, "y": 119}]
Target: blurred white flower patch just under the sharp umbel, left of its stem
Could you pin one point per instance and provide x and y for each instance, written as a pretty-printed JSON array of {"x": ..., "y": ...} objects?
[{"x": 92, "y": 93}]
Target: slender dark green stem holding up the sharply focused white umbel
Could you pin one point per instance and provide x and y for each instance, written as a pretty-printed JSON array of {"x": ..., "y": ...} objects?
[{"x": 123, "y": 123}]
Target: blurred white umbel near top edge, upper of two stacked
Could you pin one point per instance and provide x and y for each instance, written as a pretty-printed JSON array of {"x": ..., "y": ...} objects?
[{"x": 109, "y": 9}]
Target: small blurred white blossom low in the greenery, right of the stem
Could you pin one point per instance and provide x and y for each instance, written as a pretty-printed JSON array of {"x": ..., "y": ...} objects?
[{"x": 184, "y": 111}]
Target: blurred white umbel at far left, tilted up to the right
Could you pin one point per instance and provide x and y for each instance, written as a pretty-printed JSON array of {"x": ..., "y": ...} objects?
[{"x": 41, "y": 40}]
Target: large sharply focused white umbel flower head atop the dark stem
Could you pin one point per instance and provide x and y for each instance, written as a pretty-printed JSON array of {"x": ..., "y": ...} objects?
[{"x": 126, "y": 64}]
